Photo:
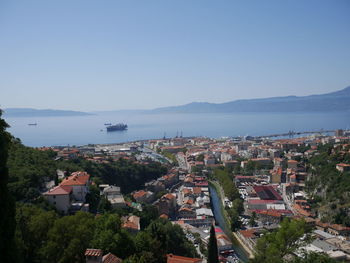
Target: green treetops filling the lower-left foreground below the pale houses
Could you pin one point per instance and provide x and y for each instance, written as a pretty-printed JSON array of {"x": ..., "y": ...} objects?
[{"x": 43, "y": 236}]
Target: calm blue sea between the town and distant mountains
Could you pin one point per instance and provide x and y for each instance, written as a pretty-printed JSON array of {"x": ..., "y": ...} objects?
[{"x": 82, "y": 130}]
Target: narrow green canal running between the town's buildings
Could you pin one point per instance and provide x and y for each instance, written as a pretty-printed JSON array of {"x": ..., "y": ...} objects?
[{"x": 220, "y": 221}]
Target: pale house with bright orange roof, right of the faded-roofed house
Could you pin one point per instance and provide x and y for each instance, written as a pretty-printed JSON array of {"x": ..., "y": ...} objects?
[{"x": 79, "y": 181}]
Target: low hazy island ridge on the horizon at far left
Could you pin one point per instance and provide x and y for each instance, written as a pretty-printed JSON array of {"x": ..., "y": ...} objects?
[{"x": 29, "y": 112}]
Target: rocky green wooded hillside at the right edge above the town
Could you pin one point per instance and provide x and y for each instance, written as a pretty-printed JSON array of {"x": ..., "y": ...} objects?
[{"x": 328, "y": 187}]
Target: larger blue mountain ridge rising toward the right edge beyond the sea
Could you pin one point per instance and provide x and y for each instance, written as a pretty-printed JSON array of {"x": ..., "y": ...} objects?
[{"x": 330, "y": 102}]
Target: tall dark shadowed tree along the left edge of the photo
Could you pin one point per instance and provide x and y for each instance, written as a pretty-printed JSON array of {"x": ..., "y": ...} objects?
[{"x": 7, "y": 204}]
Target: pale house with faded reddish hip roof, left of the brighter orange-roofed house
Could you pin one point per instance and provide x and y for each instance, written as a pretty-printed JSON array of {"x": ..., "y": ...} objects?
[{"x": 61, "y": 197}]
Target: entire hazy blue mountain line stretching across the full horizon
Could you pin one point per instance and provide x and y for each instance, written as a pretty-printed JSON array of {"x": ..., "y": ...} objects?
[{"x": 329, "y": 102}]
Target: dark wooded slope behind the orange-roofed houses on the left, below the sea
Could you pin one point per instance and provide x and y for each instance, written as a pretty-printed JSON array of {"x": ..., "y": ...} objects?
[{"x": 30, "y": 168}]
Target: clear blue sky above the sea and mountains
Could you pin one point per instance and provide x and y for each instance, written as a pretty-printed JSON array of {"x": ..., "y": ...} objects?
[{"x": 105, "y": 55}]
